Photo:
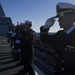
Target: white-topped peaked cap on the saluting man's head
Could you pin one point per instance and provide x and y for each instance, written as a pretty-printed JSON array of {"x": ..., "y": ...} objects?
[{"x": 64, "y": 7}]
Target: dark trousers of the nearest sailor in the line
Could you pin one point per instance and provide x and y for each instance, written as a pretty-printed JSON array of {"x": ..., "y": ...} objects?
[{"x": 28, "y": 63}]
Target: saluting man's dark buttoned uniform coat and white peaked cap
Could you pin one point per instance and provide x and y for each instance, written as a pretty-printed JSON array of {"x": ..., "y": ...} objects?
[{"x": 64, "y": 43}]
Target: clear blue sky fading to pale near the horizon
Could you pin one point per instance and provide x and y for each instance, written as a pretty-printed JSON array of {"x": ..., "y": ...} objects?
[{"x": 37, "y": 11}]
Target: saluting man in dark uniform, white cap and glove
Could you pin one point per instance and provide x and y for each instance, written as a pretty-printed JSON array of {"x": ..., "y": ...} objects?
[{"x": 63, "y": 40}]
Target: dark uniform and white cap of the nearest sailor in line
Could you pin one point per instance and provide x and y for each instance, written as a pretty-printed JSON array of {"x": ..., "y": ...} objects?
[{"x": 27, "y": 50}]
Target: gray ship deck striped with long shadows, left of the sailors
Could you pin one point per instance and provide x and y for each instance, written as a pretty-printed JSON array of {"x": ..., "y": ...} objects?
[{"x": 7, "y": 65}]
